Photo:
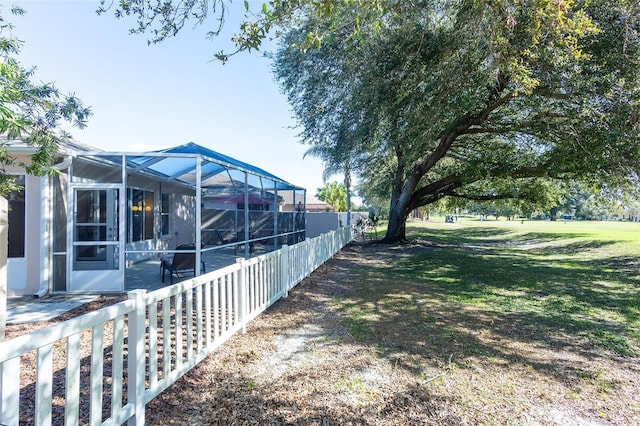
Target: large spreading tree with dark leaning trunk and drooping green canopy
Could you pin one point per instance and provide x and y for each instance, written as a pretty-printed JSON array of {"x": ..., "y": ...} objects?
[{"x": 472, "y": 99}]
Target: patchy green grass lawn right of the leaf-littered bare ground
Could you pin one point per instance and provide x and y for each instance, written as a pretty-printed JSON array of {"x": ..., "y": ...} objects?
[{"x": 494, "y": 315}]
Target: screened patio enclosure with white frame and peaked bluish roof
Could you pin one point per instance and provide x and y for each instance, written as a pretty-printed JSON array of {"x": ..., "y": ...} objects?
[{"x": 118, "y": 215}]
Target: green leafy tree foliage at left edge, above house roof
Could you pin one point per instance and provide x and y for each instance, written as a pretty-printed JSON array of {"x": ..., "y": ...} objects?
[{"x": 29, "y": 111}]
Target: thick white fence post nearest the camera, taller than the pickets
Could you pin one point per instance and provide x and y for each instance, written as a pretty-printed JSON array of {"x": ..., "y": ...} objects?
[{"x": 136, "y": 357}]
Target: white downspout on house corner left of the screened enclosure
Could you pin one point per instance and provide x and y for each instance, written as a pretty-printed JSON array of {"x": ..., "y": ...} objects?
[{"x": 46, "y": 252}]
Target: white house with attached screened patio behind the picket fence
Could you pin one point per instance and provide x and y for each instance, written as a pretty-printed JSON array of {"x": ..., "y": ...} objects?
[{"x": 103, "y": 211}]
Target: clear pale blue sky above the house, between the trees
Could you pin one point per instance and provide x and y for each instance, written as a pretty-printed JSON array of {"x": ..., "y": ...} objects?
[{"x": 148, "y": 97}]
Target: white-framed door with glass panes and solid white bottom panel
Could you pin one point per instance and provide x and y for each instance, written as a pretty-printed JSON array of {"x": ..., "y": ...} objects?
[{"x": 95, "y": 265}]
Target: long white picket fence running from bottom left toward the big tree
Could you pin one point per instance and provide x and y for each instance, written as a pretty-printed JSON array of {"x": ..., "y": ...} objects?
[{"x": 137, "y": 348}]
